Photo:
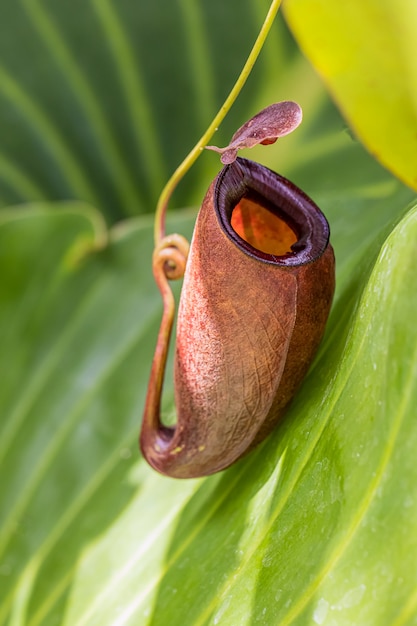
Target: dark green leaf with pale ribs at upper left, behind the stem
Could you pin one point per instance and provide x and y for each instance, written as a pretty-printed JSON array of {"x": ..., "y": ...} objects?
[{"x": 106, "y": 97}]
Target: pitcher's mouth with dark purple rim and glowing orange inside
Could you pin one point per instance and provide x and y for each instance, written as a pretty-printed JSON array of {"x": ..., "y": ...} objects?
[{"x": 267, "y": 216}]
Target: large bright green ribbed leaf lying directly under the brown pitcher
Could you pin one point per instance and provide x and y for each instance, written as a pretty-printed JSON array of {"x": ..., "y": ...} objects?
[{"x": 318, "y": 522}]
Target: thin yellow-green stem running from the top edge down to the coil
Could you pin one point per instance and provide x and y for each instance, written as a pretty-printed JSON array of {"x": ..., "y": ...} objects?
[{"x": 182, "y": 169}]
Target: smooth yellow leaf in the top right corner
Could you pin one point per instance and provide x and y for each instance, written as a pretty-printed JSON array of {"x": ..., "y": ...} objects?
[{"x": 365, "y": 50}]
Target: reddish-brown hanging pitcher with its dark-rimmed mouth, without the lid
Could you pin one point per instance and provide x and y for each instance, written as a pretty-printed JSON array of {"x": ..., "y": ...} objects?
[{"x": 257, "y": 291}]
